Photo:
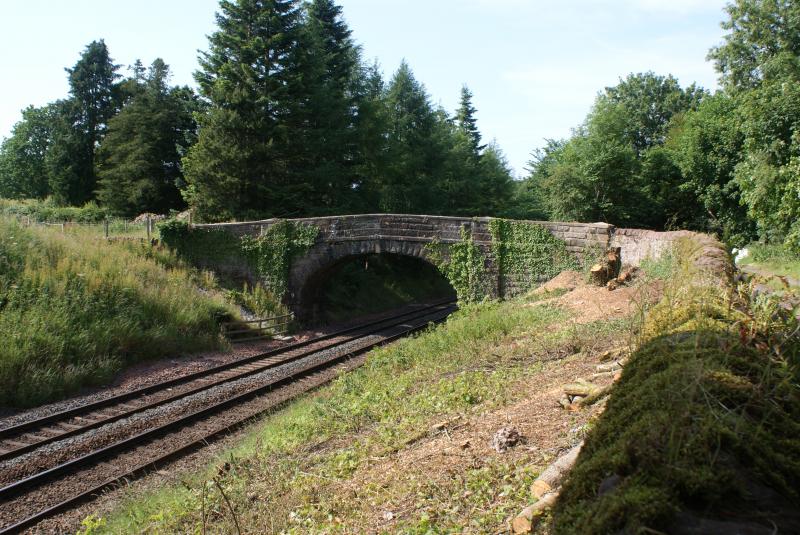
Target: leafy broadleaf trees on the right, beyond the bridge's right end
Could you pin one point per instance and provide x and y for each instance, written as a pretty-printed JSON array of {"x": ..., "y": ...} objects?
[{"x": 656, "y": 155}]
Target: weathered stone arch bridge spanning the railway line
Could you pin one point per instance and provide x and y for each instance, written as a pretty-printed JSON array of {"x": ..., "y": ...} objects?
[{"x": 343, "y": 237}]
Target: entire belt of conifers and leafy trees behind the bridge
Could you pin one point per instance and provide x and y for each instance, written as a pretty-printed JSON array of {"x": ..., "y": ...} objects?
[{"x": 291, "y": 121}]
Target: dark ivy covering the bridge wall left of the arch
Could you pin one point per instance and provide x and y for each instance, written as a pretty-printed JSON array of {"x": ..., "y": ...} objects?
[{"x": 269, "y": 255}]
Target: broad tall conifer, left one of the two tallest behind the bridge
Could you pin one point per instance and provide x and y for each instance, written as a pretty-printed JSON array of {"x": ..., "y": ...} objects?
[{"x": 240, "y": 166}]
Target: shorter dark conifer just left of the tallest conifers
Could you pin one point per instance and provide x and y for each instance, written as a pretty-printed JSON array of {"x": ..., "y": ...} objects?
[{"x": 139, "y": 163}]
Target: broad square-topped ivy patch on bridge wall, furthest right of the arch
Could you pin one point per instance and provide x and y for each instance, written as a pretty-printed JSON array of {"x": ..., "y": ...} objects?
[{"x": 527, "y": 252}]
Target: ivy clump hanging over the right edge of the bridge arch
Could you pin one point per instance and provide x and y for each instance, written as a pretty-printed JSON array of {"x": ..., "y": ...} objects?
[{"x": 464, "y": 265}]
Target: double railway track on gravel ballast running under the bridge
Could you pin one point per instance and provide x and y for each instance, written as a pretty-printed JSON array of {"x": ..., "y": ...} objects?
[{"x": 51, "y": 464}]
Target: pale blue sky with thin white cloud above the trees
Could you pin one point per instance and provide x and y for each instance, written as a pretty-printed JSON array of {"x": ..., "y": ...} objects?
[{"x": 534, "y": 66}]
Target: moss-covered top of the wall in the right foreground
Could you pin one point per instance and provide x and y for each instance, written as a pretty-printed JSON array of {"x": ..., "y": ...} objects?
[{"x": 704, "y": 421}]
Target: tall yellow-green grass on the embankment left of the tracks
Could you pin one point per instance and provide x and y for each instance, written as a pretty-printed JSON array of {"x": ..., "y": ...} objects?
[{"x": 75, "y": 310}]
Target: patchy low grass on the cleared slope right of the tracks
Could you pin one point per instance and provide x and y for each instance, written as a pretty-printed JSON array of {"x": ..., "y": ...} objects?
[{"x": 288, "y": 475}]
